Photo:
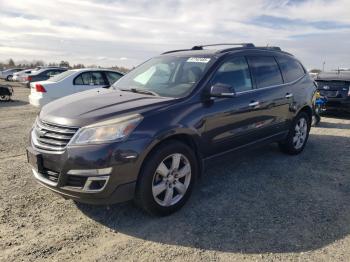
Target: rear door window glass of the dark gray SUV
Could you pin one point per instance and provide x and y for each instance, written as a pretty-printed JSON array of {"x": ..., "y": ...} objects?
[{"x": 265, "y": 70}]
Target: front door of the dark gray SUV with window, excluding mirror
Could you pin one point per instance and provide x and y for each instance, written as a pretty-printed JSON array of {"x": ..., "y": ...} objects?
[{"x": 232, "y": 122}]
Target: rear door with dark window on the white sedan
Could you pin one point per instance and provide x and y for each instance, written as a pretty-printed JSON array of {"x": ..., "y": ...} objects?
[{"x": 89, "y": 80}]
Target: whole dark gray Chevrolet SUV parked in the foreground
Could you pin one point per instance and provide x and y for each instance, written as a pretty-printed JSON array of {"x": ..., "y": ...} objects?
[{"x": 149, "y": 136}]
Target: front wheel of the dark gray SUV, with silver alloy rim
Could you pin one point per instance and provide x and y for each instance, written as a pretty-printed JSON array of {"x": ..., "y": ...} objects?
[{"x": 161, "y": 190}]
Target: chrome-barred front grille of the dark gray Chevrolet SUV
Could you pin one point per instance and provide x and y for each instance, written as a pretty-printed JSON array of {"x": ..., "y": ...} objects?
[{"x": 52, "y": 137}]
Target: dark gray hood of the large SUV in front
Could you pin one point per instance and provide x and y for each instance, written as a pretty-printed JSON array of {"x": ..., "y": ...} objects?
[{"x": 96, "y": 105}]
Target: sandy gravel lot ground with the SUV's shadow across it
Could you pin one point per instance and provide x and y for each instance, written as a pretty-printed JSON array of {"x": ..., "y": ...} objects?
[{"x": 262, "y": 205}]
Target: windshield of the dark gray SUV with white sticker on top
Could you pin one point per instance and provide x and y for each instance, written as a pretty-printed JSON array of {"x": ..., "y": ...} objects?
[{"x": 167, "y": 76}]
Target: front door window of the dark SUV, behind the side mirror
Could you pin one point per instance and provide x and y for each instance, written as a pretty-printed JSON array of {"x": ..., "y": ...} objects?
[{"x": 234, "y": 72}]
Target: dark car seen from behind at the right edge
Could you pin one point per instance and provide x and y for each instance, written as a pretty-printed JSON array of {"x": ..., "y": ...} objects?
[{"x": 335, "y": 86}]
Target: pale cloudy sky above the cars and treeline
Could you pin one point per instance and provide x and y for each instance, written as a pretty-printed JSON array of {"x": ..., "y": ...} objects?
[{"x": 127, "y": 32}]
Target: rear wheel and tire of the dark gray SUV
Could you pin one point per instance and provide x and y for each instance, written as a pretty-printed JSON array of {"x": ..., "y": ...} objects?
[{"x": 290, "y": 145}]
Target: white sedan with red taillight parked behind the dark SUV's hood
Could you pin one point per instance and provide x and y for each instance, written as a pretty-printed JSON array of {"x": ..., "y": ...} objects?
[{"x": 70, "y": 82}]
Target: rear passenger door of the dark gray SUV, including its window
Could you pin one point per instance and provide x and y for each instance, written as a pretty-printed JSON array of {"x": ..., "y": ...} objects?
[{"x": 271, "y": 94}]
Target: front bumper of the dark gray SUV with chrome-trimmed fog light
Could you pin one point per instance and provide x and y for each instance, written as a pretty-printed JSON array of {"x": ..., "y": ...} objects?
[{"x": 72, "y": 173}]
